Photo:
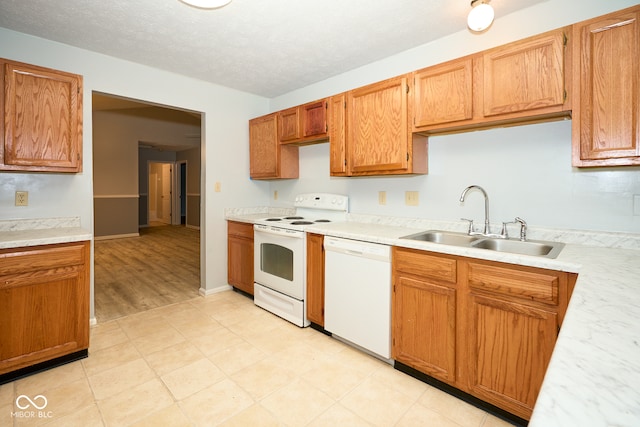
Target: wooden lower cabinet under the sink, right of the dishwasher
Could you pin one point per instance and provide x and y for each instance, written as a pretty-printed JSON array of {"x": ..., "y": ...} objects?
[{"x": 485, "y": 328}]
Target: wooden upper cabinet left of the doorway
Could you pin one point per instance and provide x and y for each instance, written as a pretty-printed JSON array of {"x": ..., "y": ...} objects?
[{"x": 42, "y": 126}]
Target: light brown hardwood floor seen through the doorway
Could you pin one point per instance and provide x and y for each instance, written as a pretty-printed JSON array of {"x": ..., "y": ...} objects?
[{"x": 158, "y": 268}]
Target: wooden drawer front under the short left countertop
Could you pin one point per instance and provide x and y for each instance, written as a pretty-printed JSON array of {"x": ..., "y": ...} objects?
[{"x": 23, "y": 260}]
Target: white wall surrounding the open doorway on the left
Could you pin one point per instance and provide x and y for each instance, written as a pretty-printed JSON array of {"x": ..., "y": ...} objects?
[{"x": 224, "y": 142}]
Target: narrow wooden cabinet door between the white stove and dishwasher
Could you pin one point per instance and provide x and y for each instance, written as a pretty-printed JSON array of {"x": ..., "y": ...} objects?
[{"x": 315, "y": 278}]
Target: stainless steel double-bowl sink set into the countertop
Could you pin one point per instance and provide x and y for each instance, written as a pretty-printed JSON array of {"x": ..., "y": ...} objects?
[{"x": 529, "y": 247}]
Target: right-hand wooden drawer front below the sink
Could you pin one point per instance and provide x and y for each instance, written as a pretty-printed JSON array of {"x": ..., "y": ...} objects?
[{"x": 528, "y": 284}]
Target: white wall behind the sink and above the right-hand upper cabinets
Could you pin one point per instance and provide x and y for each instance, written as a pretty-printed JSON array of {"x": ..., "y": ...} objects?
[{"x": 526, "y": 170}]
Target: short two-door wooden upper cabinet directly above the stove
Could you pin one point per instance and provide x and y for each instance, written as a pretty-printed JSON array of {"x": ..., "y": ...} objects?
[{"x": 303, "y": 124}]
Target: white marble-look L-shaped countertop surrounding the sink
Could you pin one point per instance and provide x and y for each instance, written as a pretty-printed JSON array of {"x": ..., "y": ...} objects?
[{"x": 594, "y": 372}]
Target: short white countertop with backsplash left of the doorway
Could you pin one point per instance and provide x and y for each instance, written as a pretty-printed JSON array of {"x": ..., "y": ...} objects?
[{"x": 17, "y": 233}]
